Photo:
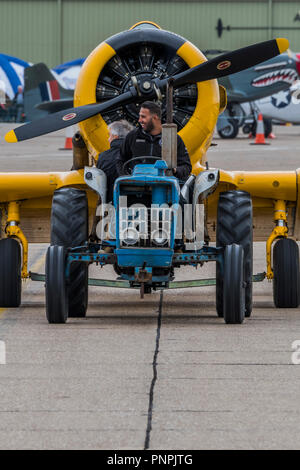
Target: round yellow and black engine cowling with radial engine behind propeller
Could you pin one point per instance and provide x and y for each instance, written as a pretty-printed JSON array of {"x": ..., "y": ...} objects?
[{"x": 146, "y": 51}]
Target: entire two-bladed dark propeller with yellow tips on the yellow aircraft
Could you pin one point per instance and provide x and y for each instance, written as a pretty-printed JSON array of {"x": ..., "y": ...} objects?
[{"x": 225, "y": 64}]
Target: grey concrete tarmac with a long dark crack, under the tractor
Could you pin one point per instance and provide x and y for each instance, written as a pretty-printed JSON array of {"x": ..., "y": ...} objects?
[{"x": 160, "y": 373}]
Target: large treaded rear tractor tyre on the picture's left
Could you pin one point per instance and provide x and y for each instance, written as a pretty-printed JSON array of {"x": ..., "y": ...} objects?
[{"x": 69, "y": 228}]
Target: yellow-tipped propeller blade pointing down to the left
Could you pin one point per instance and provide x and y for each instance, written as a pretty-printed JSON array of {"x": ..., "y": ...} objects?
[{"x": 66, "y": 118}]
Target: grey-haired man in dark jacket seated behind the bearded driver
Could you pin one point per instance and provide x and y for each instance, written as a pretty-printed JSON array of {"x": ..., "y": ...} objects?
[{"x": 107, "y": 160}]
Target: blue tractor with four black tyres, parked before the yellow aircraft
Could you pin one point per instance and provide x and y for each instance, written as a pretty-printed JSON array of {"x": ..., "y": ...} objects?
[{"x": 155, "y": 226}]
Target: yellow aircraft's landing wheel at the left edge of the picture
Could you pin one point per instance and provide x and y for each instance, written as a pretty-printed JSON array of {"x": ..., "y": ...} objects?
[{"x": 10, "y": 273}]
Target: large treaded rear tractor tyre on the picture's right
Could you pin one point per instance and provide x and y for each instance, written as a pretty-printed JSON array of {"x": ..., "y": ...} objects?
[{"x": 234, "y": 225}]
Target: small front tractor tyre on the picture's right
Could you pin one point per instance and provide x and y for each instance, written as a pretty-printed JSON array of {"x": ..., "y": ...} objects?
[{"x": 233, "y": 285}]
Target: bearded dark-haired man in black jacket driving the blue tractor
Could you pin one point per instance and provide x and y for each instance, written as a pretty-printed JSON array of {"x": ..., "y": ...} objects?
[{"x": 146, "y": 141}]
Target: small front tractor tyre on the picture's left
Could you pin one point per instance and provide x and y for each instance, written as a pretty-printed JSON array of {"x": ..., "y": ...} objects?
[{"x": 56, "y": 287}]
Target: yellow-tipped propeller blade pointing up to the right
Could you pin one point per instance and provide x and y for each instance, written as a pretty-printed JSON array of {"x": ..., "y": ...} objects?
[{"x": 232, "y": 62}]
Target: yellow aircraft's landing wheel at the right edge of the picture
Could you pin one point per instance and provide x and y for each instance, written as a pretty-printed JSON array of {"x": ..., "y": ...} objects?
[{"x": 286, "y": 282}]
